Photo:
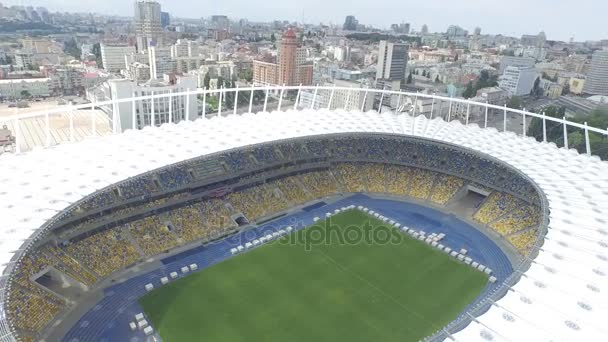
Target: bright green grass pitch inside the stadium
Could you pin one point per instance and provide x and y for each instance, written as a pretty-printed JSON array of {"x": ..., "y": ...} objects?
[{"x": 333, "y": 292}]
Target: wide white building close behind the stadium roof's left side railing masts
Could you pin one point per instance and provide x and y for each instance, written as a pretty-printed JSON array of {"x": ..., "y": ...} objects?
[{"x": 159, "y": 111}]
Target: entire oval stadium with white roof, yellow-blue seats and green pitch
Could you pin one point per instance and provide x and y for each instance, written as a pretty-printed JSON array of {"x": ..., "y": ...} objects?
[{"x": 204, "y": 229}]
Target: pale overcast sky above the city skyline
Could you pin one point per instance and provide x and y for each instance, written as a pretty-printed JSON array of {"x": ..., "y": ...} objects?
[{"x": 560, "y": 19}]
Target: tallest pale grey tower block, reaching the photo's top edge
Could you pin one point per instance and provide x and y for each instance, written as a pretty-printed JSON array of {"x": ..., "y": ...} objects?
[{"x": 148, "y": 28}]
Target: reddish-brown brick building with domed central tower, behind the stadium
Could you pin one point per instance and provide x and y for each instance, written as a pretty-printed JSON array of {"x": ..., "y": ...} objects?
[{"x": 290, "y": 67}]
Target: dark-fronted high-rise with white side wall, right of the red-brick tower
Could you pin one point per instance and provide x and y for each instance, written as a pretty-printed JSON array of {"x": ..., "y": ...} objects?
[{"x": 392, "y": 61}]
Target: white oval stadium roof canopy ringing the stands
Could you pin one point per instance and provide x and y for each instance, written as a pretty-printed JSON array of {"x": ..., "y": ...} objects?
[{"x": 562, "y": 297}]
